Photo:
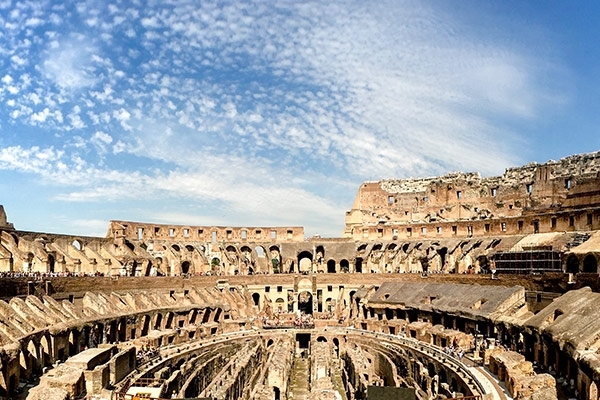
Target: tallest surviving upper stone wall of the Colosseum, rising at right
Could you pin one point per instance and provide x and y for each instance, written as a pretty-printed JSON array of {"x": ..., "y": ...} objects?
[{"x": 555, "y": 196}]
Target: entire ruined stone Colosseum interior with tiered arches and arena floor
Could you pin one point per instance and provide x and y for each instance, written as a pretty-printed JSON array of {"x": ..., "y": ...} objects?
[{"x": 447, "y": 287}]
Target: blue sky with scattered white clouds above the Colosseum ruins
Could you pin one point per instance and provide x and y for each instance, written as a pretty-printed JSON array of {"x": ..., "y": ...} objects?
[{"x": 273, "y": 113}]
